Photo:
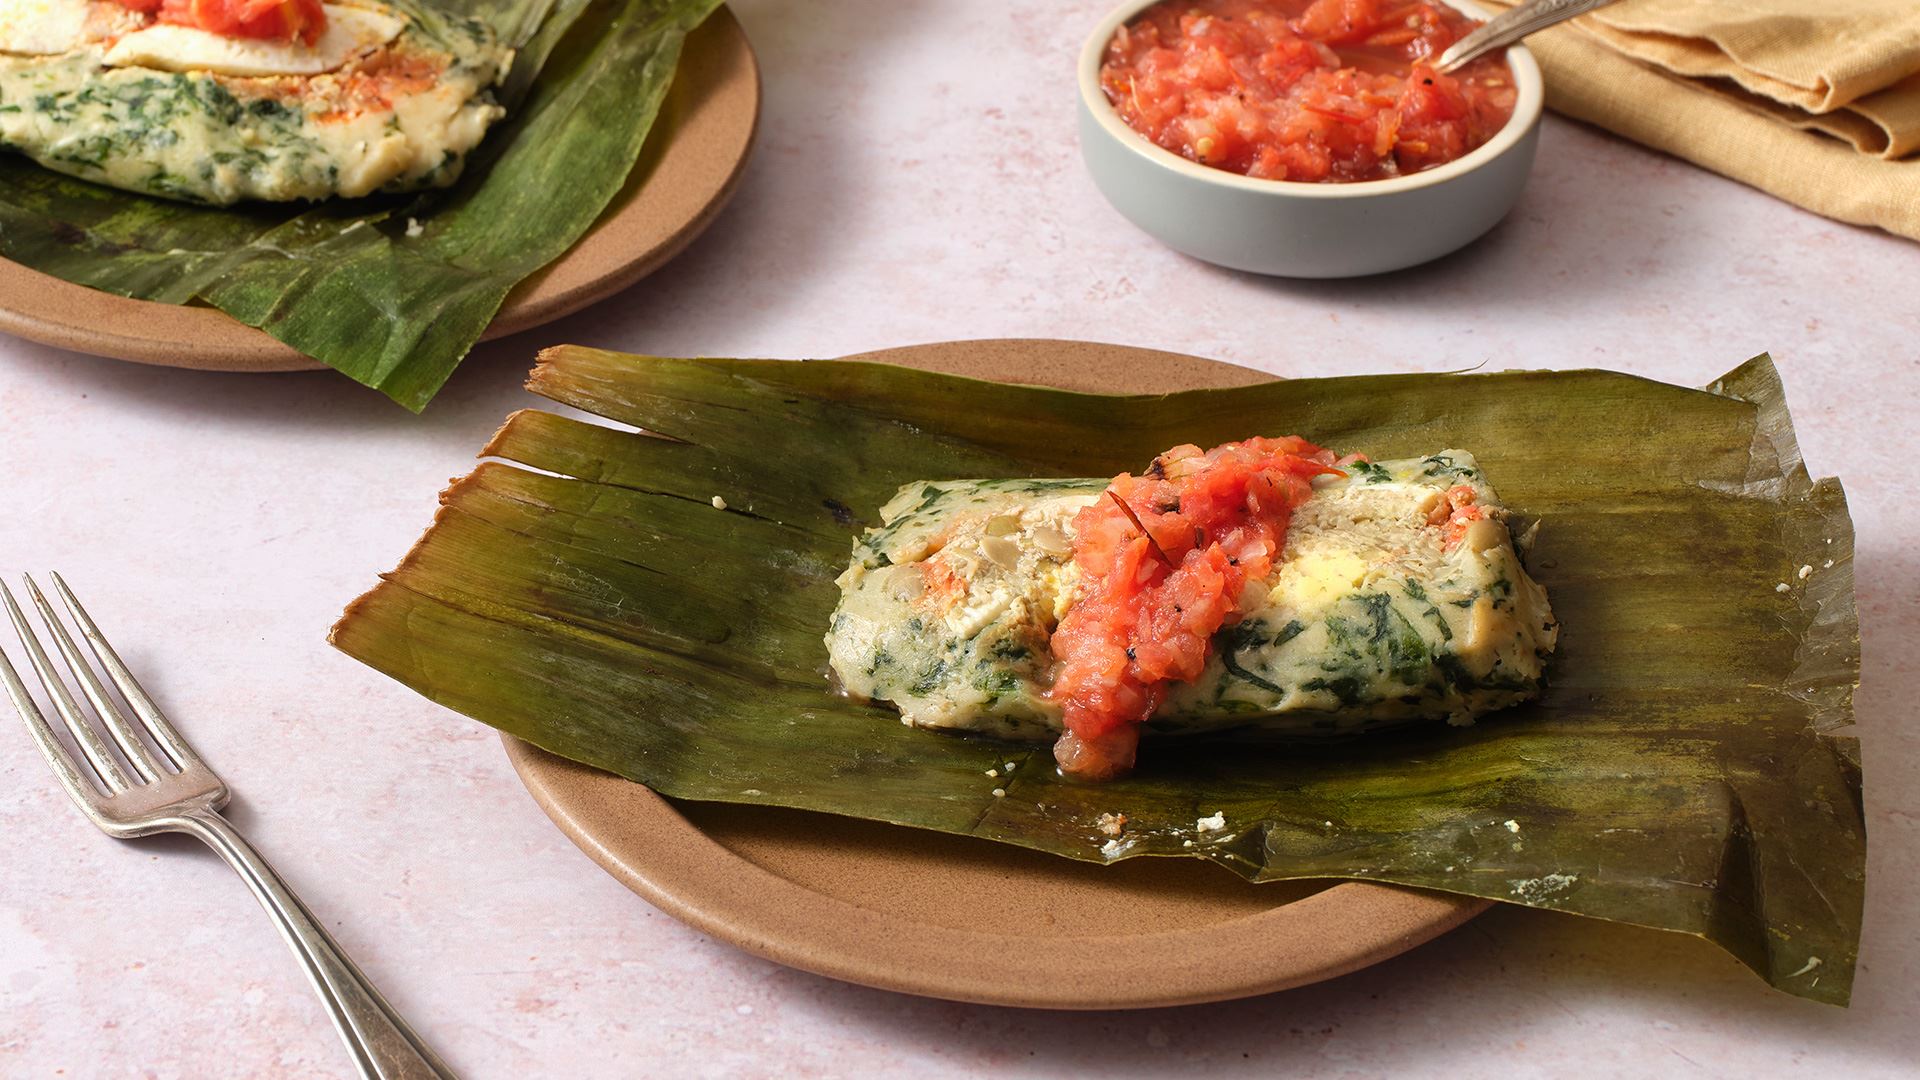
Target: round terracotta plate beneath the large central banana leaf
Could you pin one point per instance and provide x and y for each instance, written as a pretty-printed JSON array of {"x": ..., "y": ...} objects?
[{"x": 969, "y": 920}]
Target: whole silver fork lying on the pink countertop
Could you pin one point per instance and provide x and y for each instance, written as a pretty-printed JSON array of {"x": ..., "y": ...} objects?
[{"x": 174, "y": 791}]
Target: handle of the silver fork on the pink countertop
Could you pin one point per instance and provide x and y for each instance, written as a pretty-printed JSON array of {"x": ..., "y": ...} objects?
[{"x": 381, "y": 1043}]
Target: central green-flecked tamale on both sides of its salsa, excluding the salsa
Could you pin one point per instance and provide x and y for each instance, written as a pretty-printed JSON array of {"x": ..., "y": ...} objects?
[{"x": 1370, "y": 616}]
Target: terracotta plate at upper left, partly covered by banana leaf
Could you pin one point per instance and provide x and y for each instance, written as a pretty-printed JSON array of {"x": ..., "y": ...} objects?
[{"x": 688, "y": 170}]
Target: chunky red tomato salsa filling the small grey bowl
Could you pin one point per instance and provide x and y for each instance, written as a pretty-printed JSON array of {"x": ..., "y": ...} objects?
[{"x": 1318, "y": 91}]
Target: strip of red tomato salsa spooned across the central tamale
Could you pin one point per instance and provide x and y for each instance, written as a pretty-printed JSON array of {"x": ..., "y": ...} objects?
[{"x": 1163, "y": 560}]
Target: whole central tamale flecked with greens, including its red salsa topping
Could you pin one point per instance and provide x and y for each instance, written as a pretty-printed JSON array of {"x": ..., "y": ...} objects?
[{"x": 1264, "y": 585}]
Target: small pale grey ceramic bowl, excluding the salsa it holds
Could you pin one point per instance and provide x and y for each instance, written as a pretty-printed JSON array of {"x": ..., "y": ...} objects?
[{"x": 1305, "y": 230}]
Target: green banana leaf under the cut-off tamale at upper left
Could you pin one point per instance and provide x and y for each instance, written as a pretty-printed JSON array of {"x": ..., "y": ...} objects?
[{"x": 343, "y": 282}]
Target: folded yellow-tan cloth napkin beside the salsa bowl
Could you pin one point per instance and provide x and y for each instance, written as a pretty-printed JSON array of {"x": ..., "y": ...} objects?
[{"x": 1812, "y": 101}]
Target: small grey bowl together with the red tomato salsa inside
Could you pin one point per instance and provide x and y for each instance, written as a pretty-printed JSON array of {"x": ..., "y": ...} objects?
[{"x": 1307, "y": 137}]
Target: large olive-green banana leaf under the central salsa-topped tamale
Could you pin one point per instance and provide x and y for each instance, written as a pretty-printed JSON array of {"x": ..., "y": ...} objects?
[{"x": 1685, "y": 770}]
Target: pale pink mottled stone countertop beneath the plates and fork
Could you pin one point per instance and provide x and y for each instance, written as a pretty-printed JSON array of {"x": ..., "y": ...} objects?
[{"x": 917, "y": 182}]
